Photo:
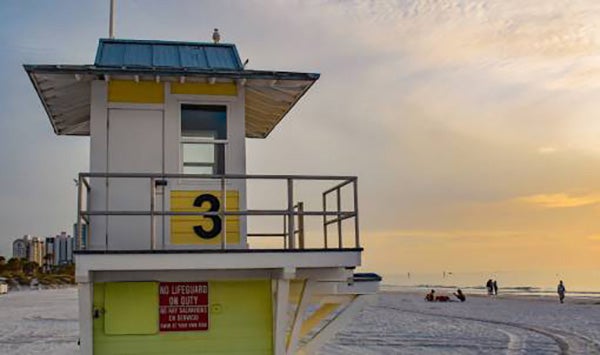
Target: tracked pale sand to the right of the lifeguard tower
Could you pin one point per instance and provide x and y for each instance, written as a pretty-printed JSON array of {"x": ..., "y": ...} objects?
[{"x": 403, "y": 323}]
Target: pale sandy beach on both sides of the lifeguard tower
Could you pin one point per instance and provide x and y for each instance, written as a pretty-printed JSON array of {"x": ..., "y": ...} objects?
[{"x": 45, "y": 322}]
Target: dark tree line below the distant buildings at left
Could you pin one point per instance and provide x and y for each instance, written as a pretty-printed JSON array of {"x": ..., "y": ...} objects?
[{"x": 18, "y": 271}]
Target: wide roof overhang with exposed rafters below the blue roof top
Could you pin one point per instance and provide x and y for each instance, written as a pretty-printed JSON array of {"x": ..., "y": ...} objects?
[{"x": 65, "y": 92}]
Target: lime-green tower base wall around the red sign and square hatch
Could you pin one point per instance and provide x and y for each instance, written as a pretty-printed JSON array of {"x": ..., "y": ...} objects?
[{"x": 240, "y": 323}]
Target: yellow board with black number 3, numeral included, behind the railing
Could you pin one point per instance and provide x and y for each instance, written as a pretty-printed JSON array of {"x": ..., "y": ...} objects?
[{"x": 203, "y": 230}]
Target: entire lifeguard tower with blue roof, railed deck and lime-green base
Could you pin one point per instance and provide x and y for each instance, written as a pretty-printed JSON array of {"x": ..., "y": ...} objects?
[{"x": 175, "y": 260}]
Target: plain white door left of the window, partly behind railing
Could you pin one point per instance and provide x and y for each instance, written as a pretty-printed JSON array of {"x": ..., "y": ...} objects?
[{"x": 135, "y": 145}]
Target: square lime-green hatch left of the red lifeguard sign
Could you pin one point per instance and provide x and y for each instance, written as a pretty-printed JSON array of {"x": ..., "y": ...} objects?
[{"x": 131, "y": 308}]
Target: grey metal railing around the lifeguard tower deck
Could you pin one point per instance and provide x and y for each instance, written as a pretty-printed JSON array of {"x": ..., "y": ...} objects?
[{"x": 293, "y": 216}]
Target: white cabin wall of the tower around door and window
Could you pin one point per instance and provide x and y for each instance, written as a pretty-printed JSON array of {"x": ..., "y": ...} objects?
[{"x": 102, "y": 112}]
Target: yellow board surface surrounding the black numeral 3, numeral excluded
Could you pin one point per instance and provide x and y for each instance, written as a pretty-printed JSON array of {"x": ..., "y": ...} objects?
[{"x": 182, "y": 227}]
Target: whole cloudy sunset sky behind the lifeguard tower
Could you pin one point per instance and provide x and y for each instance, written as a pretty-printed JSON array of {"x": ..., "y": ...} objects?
[{"x": 473, "y": 126}]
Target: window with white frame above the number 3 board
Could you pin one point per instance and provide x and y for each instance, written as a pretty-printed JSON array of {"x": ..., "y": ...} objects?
[{"x": 203, "y": 134}]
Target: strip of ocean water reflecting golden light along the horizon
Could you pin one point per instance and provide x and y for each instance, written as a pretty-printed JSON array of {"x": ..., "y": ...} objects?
[{"x": 580, "y": 283}]
